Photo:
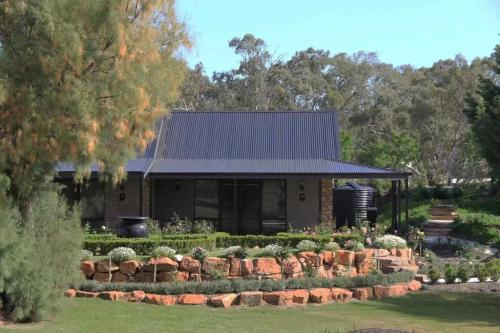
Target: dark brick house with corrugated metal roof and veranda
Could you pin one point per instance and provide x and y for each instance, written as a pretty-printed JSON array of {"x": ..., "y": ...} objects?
[{"x": 247, "y": 172}]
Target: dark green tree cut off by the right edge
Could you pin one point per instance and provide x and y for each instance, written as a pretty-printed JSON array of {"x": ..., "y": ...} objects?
[{"x": 483, "y": 112}]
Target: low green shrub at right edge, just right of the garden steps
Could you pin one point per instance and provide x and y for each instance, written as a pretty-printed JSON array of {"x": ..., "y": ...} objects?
[{"x": 473, "y": 228}]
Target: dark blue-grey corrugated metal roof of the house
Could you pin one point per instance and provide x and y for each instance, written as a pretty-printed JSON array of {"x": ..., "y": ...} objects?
[{"x": 248, "y": 143}]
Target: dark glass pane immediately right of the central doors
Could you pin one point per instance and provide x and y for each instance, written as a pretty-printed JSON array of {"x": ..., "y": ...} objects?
[{"x": 273, "y": 206}]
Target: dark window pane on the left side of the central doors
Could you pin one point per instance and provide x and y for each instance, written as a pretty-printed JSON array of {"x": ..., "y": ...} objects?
[{"x": 206, "y": 200}]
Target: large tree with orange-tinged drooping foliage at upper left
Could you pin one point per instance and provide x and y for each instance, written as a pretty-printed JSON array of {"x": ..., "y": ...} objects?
[{"x": 83, "y": 82}]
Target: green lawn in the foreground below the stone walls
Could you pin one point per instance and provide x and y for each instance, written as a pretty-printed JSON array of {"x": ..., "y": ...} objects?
[{"x": 424, "y": 312}]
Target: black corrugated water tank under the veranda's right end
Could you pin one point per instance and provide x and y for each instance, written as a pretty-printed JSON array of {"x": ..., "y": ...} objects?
[{"x": 350, "y": 201}]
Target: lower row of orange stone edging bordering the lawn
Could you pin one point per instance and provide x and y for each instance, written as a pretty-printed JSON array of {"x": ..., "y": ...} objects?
[{"x": 256, "y": 298}]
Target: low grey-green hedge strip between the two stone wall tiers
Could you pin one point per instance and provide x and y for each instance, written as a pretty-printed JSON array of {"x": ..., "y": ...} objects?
[{"x": 240, "y": 285}]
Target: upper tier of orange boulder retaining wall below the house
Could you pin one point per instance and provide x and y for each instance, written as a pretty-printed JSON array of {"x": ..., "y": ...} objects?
[{"x": 326, "y": 264}]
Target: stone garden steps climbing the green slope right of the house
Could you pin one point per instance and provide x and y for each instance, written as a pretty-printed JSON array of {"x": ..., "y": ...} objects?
[{"x": 441, "y": 221}]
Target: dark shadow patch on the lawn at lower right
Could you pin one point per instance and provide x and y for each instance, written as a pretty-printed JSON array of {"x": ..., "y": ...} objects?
[{"x": 464, "y": 308}]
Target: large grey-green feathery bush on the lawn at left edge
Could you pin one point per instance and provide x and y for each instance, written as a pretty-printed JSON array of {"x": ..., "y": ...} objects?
[{"x": 39, "y": 257}]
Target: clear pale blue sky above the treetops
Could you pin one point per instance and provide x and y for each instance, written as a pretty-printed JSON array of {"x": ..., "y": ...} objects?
[{"x": 416, "y": 32}]
